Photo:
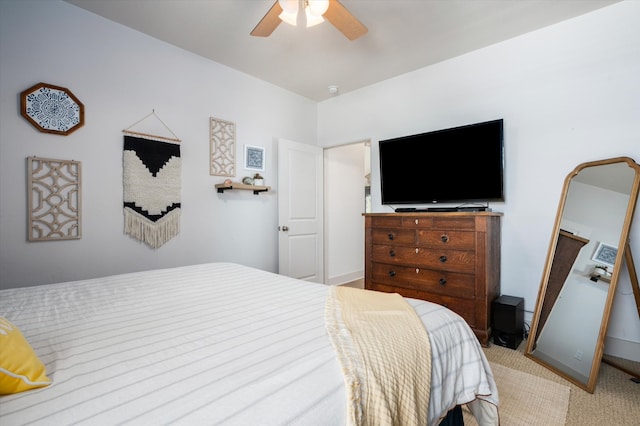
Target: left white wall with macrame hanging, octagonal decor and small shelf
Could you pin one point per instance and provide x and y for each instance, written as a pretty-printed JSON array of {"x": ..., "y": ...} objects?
[{"x": 120, "y": 76}]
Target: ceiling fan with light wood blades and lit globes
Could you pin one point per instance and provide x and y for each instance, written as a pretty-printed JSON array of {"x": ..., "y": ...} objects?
[{"x": 315, "y": 11}]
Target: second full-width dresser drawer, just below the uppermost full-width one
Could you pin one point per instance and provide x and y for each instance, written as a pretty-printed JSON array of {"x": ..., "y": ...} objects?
[{"x": 439, "y": 282}]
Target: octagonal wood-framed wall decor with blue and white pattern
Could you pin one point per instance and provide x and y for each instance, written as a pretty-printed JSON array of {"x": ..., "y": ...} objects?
[{"x": 52, "y": 109}]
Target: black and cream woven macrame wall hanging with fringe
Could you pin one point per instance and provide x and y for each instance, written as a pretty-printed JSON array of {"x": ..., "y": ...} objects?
[{"x": 152, "y": 185}]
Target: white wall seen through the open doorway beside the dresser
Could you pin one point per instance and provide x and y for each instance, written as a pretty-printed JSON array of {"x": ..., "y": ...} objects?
[{"x": 344, "y": 171}]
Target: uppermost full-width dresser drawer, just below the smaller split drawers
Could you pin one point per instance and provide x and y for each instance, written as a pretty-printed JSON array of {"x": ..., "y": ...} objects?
[{"x": 445, "y": 260}]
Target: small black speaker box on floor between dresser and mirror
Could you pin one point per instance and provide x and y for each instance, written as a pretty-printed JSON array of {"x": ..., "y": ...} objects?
[{"x": 507, "y": 321}]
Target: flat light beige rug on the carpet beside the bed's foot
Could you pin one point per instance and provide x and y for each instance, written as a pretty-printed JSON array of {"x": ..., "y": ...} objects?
[{"x": 527, "y": 400}]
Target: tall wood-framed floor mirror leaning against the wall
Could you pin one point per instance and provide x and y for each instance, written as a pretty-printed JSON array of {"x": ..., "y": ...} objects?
[{"x": 589, "y": 243}]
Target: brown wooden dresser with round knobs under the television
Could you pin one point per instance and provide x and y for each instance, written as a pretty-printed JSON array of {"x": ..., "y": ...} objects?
[{"x": 448, "y": 258}]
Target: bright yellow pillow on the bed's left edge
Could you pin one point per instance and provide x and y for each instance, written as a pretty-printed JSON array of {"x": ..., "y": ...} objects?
[{"x": 20, "y": 367}]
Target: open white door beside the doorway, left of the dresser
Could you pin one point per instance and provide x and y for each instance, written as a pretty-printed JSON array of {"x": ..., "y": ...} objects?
[{"x": 300, "y": 224}]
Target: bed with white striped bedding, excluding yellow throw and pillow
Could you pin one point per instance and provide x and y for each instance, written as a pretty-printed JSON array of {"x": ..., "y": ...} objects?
[{"x": 216, "y": 343}]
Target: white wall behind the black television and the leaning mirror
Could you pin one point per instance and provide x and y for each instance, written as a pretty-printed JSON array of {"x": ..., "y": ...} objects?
[{"x": 569, "y": 93}]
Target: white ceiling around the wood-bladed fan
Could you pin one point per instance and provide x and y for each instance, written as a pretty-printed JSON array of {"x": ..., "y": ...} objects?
[{"x": 404, "y": 35}]
